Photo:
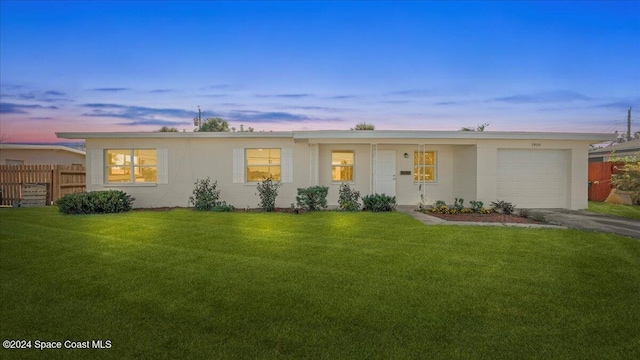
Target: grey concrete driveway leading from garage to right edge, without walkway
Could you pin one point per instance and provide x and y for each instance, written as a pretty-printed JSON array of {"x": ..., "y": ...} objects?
[{"x": 587, "y": 220}]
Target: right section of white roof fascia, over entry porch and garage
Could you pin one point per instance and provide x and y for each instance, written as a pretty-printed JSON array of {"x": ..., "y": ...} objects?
[{"x": 476, "y": 135}]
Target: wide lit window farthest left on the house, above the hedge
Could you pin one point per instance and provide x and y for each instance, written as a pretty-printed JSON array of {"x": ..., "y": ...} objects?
[{"x": 132, "y": 165}]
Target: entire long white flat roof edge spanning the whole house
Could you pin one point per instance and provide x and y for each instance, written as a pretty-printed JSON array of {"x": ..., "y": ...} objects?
[{"x": 350, "y": 134}]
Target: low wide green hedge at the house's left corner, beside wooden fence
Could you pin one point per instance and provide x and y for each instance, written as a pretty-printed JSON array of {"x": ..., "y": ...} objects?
[{"x": 95, "y": 202}]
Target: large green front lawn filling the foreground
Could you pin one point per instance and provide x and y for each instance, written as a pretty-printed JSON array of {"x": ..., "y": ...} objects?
[{"x": 181, "y": 284}]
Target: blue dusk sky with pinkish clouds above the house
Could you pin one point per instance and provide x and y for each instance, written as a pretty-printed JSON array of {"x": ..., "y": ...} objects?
[{"x": 136, "y": 66}]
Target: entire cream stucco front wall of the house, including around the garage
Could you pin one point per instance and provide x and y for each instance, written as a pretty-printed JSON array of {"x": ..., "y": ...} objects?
[{"x": 466, "y": 168}]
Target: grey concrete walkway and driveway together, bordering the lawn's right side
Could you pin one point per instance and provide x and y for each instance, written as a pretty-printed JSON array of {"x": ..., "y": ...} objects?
[{"x": 558, "y": 218}]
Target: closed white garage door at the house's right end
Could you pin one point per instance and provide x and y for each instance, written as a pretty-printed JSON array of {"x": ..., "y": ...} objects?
[{"x": 533, "y": 178}]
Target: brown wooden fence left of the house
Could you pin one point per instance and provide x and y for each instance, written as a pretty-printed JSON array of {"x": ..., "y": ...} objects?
[{"x": 59, "y": 180}]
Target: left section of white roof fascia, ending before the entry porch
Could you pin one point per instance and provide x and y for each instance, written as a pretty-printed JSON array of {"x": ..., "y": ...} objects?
[{"x": 171, "y": 135}]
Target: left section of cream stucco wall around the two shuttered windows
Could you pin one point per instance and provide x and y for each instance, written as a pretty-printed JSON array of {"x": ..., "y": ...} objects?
[{"x": 197, "y": 158}]
